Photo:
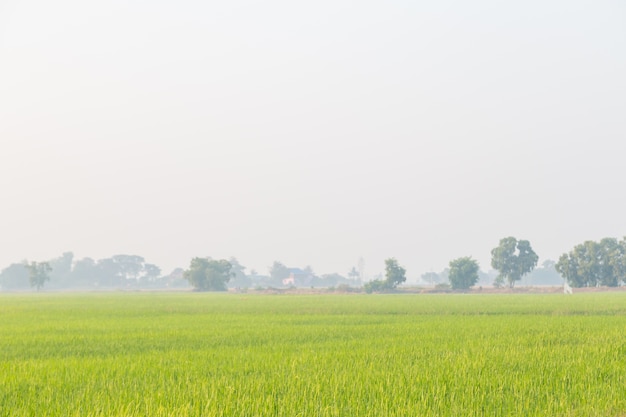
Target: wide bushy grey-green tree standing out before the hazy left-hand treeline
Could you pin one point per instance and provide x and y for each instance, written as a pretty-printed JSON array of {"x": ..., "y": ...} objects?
[{"x": 206, "y": 274}]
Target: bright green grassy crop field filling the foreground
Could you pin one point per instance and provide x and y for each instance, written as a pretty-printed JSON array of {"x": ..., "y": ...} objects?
[{"x": 198, "y": 354}]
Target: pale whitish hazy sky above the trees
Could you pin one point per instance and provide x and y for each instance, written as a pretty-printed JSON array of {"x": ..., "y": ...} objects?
[{"x": 313, "y": 133}]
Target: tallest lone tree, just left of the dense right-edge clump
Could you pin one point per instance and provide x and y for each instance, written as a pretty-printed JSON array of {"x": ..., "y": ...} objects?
[{"x": 513, "y": 259}]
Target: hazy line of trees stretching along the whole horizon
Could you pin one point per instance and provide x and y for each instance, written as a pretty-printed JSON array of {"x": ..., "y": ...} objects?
[{"x": 588, "y": 264}]
